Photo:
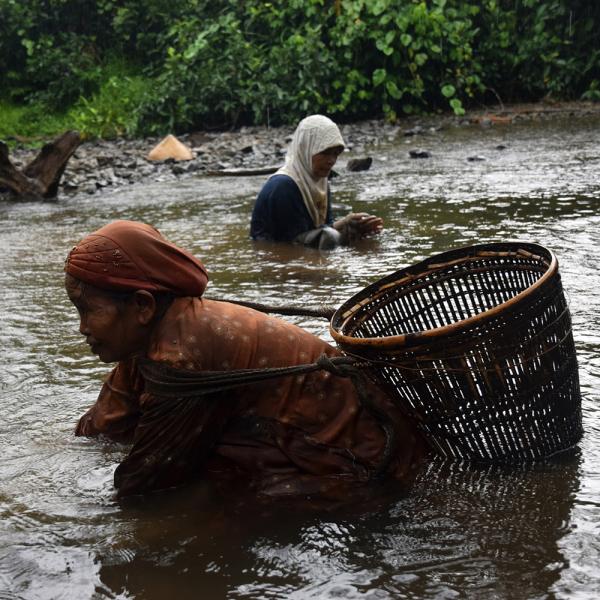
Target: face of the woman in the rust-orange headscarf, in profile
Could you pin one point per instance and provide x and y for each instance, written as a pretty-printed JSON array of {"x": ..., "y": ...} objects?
[{"x": 114, "y": 330}]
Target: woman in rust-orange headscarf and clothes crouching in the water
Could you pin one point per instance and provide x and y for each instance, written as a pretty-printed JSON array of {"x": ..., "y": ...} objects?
[{"x": 140, "y": 303}]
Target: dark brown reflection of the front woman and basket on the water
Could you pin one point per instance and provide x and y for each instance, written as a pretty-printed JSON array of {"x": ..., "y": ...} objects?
[{"x": 458, "y": 530}]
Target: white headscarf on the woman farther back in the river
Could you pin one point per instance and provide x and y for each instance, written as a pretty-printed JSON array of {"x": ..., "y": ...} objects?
[{"x": 313, "y": 135}]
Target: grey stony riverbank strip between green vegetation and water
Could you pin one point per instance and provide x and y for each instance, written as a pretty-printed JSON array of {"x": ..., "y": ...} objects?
[{"x": 101, "y": 165}]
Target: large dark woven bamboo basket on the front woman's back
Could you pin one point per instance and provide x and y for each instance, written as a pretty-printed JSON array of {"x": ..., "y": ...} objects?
[{"x": 476, "y": 345}]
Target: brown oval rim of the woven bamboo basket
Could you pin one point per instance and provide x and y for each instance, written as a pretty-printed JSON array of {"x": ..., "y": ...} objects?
[{"x": 353, "y": 304}]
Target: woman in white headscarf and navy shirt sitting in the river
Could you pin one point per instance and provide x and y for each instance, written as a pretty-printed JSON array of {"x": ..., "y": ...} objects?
[{"x": 295, "y": 203}]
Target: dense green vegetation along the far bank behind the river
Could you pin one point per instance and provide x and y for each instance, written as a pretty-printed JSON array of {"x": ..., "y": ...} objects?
[{"x": 138, "y": 67}]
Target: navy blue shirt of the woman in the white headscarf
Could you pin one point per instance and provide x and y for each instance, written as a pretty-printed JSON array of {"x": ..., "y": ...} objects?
[{"x": 279, "y": 213}]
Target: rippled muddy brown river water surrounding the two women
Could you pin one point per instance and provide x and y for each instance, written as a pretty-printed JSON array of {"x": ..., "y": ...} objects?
[{"x": 459, "y": 532}]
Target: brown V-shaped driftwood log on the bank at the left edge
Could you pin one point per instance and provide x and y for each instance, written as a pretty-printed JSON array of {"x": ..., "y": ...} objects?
[{"x": 41, "y": 177}]
